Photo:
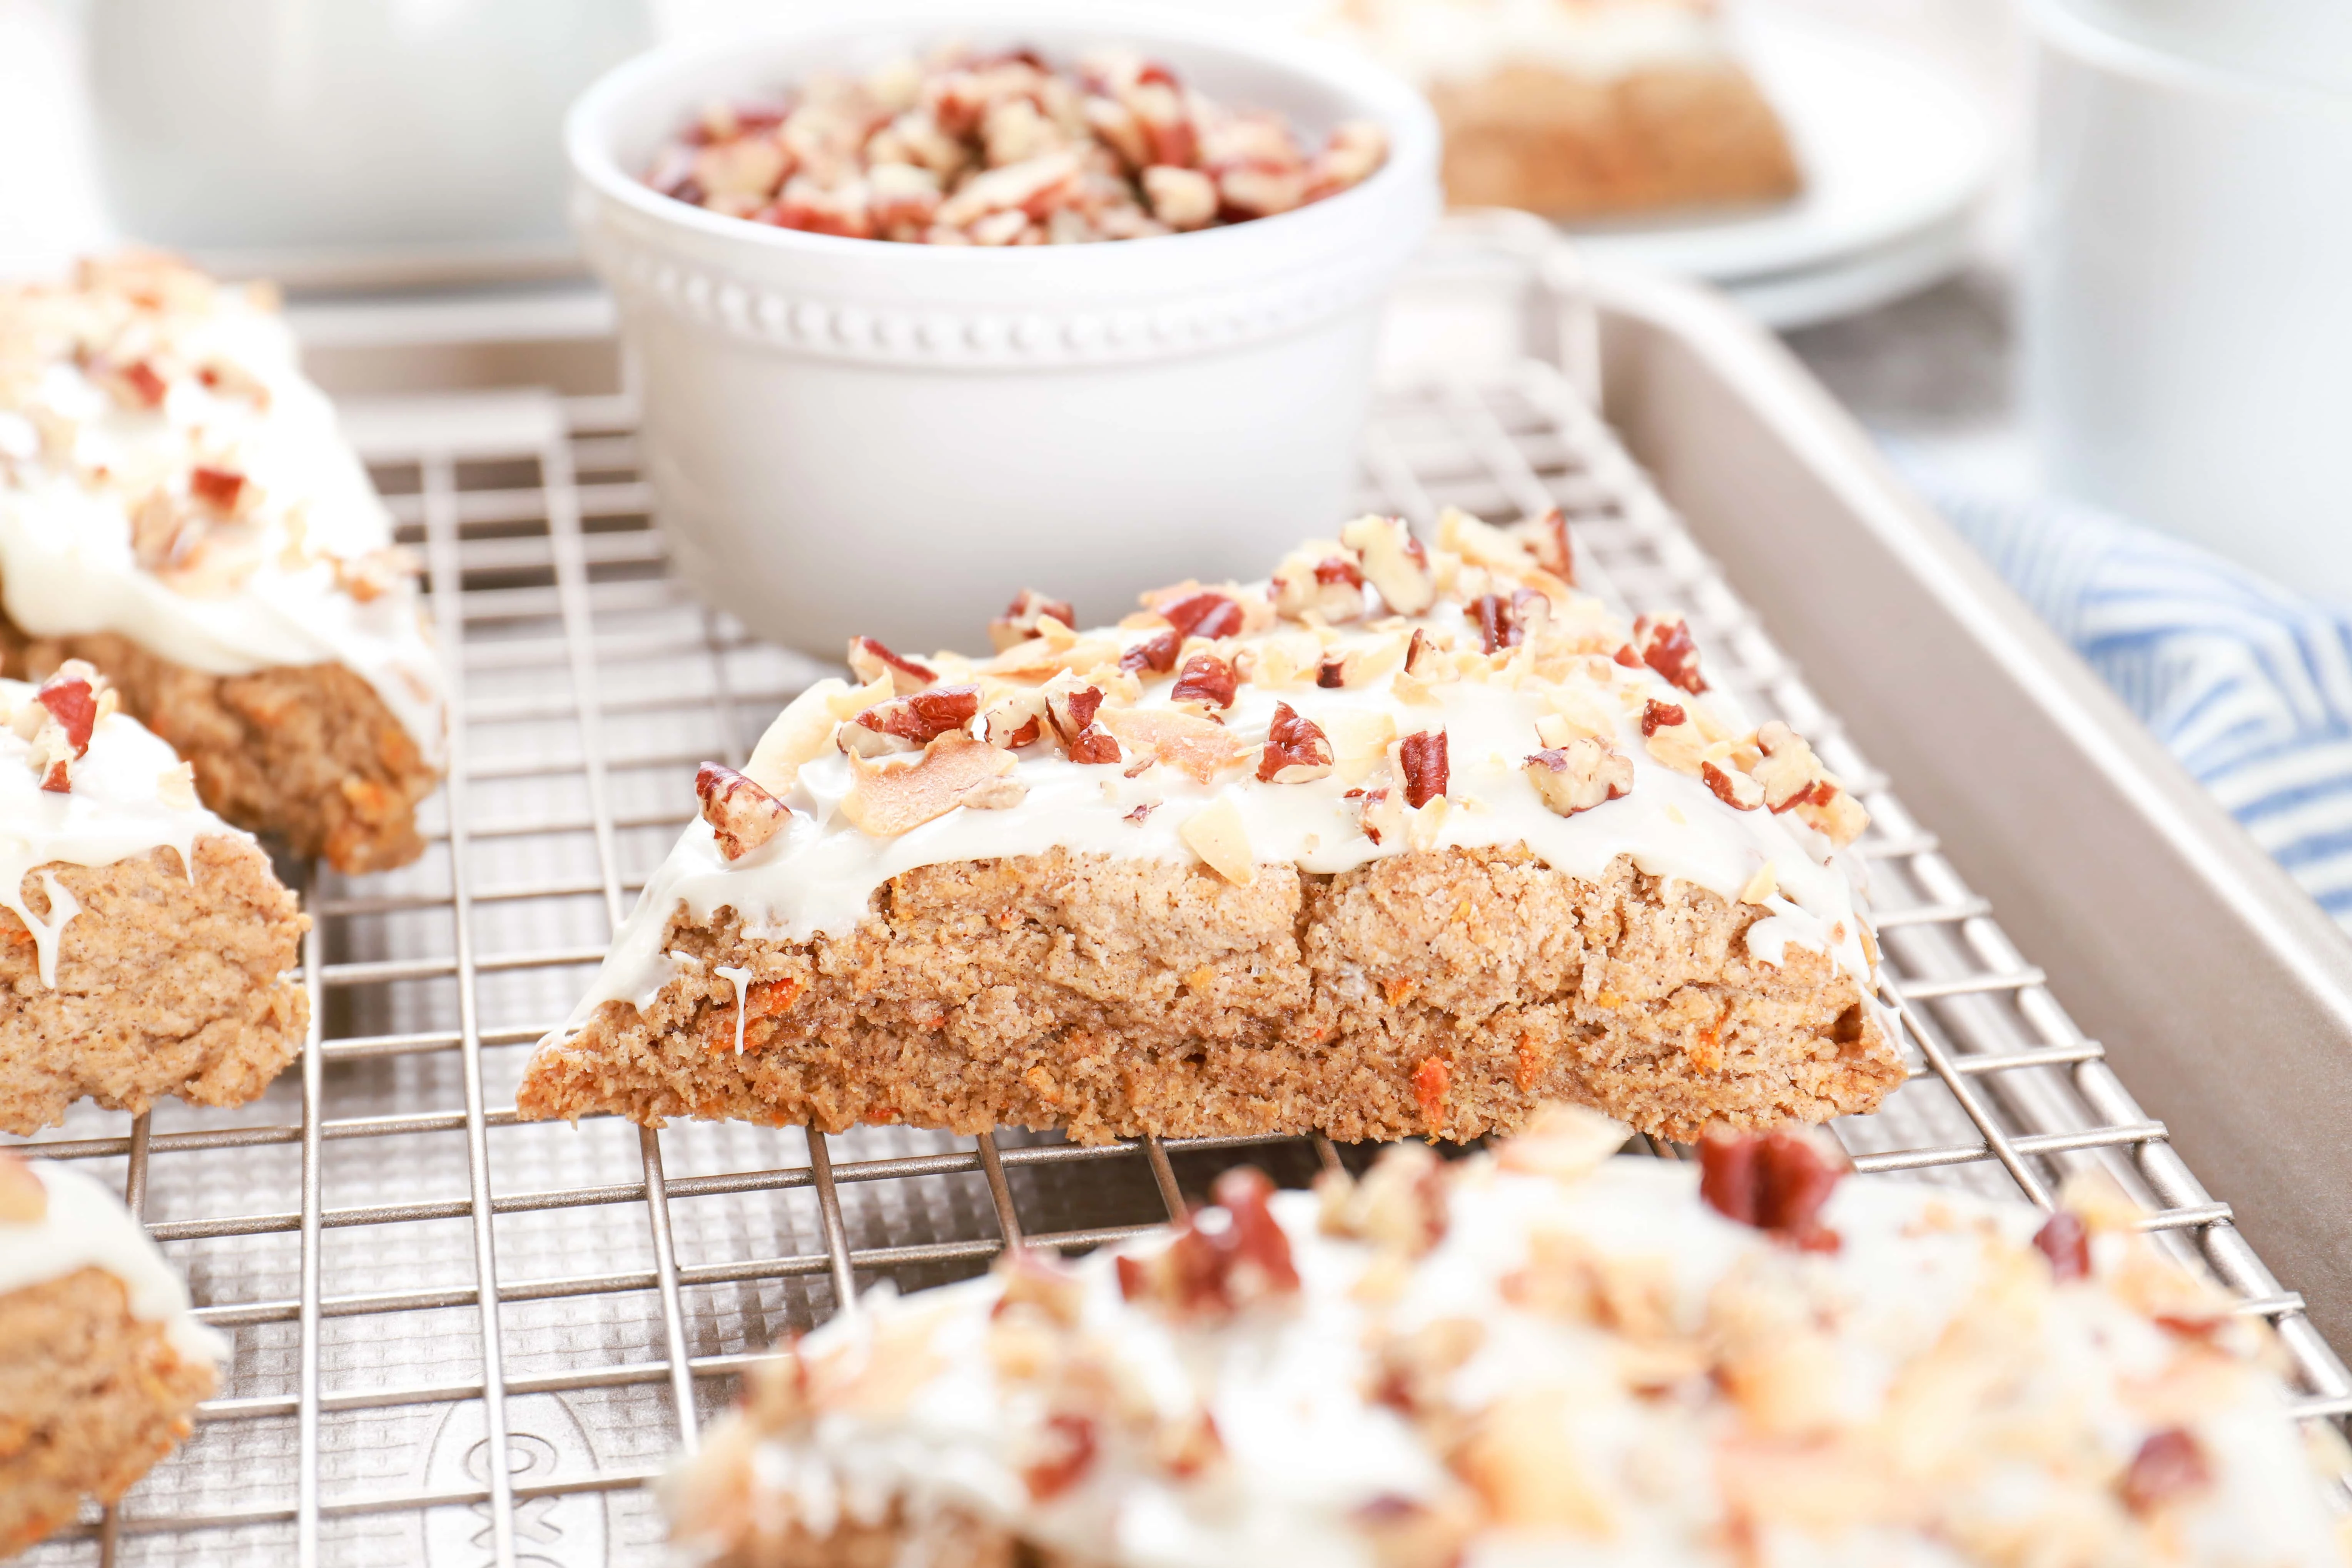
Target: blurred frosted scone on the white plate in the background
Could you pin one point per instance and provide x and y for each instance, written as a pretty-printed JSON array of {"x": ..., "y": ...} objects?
[{"x": 1584, "y": 109}]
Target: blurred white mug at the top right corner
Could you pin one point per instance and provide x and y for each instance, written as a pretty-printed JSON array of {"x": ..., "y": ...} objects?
[{"x": 2189, "y": 297}]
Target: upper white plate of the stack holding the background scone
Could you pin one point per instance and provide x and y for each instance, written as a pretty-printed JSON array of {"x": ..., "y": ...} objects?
[{"x": 1890, "y": 149}]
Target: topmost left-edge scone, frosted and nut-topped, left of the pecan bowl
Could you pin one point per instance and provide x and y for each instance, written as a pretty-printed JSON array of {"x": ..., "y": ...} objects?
[{"x": 180, "y": 509}]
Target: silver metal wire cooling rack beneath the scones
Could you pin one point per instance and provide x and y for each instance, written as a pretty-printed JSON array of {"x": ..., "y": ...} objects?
[{"x": 417, "y": 1280}]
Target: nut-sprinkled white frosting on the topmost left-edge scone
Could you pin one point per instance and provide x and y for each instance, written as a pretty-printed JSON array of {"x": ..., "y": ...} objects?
[{"x": 171, "y": 476}]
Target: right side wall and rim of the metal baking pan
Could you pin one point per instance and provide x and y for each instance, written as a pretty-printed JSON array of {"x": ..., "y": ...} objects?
[{"x": 2219, "y": 989}]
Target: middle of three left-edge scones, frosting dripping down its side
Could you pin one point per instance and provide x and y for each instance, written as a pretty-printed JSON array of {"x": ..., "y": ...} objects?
[{"x": 145, "y": 944}]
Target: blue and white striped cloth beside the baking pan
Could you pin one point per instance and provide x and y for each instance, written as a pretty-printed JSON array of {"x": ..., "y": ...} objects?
[{"x": 2247, "y": 685}]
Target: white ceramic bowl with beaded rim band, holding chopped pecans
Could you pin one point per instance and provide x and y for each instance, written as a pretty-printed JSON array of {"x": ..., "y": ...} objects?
[{"x": 869, "y": 438}]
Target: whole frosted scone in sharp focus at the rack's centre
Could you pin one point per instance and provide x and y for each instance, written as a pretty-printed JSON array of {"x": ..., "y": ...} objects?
[{"x": 1405, "y": 840}]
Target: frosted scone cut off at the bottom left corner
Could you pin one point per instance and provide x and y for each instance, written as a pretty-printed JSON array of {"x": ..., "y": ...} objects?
[{"x": 100, "y": 1360}]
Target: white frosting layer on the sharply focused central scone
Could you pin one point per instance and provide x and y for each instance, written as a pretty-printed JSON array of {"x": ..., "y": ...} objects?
[{"x": 820, "y": 871}]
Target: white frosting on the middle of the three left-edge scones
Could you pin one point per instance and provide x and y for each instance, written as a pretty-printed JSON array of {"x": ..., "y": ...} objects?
[{"x": 128, "y": 793}]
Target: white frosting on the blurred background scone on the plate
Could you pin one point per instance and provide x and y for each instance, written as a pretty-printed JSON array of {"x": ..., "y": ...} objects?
[{"x": 1466, "y": 41}]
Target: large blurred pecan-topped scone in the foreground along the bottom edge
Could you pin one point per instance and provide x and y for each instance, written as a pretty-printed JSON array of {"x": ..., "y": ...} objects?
[{"x": 1542, "y": 1358}]
